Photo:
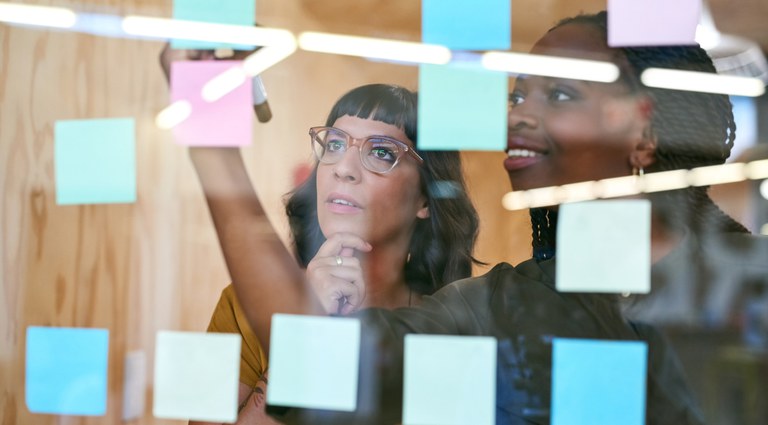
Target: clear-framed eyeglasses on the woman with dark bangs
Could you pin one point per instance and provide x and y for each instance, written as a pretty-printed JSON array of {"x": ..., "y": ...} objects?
[{"x": 378, "y": 154}]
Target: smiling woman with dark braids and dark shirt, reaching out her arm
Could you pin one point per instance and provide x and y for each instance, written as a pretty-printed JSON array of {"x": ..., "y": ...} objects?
[{"x": 560, "y": 131}]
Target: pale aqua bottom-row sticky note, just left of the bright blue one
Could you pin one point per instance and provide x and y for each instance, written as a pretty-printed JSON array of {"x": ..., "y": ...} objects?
[{"x": 449, "y": 380}]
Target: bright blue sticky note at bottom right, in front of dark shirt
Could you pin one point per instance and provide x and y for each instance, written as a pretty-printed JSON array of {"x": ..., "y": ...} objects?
[{"x": 598, "y": 382}]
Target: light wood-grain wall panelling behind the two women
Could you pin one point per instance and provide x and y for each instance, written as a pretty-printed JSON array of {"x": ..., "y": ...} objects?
[{"x": 138, "y": 268}]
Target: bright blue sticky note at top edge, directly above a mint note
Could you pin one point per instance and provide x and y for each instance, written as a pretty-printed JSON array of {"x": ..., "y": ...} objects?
[{"x": 467, "y": 24}]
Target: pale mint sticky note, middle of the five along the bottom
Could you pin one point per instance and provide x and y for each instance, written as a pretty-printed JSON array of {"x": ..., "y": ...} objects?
[{"x": 314, "y": 362}]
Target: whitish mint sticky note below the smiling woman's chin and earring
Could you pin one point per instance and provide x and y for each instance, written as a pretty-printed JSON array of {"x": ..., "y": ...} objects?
[{"x": 604, "y": 246}]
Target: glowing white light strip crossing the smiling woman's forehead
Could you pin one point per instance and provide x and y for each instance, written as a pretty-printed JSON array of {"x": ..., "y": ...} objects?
[{"x": 551, "y": 66}]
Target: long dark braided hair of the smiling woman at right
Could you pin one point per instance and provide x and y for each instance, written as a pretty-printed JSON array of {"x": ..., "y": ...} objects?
[{"x": 693, "y": 129}]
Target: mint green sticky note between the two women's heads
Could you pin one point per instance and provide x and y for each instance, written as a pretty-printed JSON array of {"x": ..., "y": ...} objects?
[{"x": 462, "y": 108}]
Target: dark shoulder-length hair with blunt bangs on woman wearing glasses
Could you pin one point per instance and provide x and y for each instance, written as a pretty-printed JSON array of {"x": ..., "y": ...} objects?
[{"x": 441, "y": 245}]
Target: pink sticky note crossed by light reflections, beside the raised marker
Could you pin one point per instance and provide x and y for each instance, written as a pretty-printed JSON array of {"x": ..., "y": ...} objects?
[{"x": 227, "y": 121}]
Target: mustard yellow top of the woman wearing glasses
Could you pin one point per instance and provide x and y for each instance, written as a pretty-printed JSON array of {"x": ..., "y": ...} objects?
[{"x": 228, "y": 317}]
